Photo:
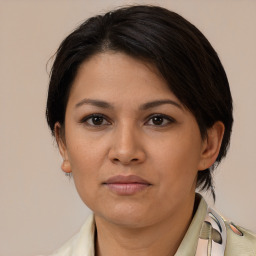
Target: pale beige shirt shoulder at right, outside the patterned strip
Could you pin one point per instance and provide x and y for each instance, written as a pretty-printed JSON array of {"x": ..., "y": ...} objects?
[{"x": 240, "y": 241}]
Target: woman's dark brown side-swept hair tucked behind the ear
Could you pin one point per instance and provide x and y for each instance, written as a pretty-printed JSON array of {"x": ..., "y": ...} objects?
[{"x": 181, "y": 53}]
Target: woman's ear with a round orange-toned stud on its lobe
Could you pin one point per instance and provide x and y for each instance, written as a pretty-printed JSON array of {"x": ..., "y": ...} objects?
[{"x": 59, "y": 135}]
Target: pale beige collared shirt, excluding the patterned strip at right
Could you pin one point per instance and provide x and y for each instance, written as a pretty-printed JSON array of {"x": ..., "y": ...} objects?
[{"x": 82, "y": 244}]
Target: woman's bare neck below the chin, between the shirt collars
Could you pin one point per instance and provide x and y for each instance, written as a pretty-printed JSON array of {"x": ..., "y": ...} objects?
[{"x": 162, "y": 238}]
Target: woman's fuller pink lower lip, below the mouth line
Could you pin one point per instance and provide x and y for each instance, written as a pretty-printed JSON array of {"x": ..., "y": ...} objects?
[{"x": 127, "y": 188}]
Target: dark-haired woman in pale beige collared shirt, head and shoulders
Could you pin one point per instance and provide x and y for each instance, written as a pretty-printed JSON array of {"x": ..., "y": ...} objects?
[{"x": 141, "y": 110}]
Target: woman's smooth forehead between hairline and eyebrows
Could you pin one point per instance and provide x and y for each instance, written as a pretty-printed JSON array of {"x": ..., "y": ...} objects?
[{"x": 119, "y": 77}]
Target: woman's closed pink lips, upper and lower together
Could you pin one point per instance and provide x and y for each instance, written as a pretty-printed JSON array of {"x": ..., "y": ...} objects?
[{"x": 126, "y": 185}]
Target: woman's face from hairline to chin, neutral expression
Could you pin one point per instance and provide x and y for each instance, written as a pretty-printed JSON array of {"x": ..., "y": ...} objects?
[{"x": 133, "y": 149}]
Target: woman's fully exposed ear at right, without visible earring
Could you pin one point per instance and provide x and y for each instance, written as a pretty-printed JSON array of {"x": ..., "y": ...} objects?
[{"x": 211, "y": 145}]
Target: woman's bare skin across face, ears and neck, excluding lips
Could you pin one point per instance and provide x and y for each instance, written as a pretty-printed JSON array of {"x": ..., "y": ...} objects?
[{"x": 167, "y": 151}]
